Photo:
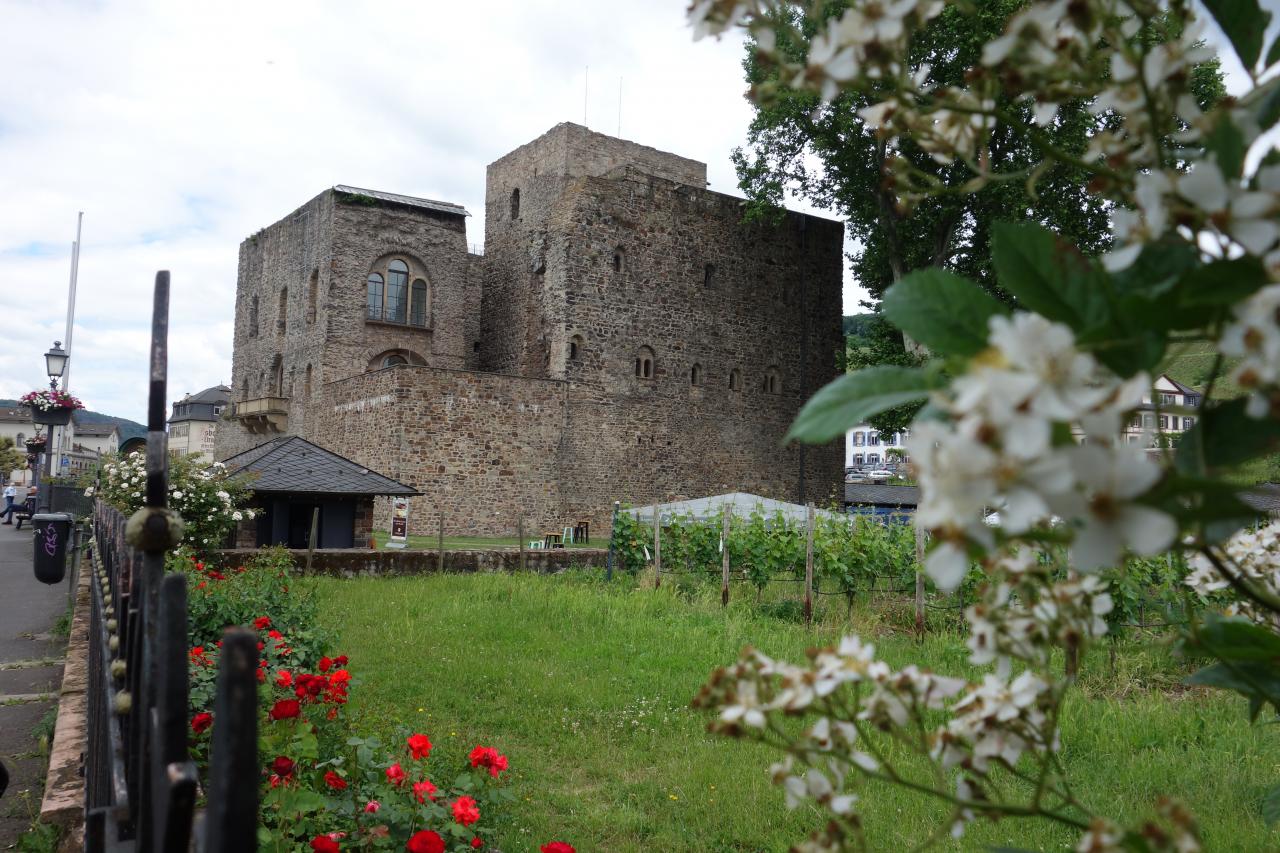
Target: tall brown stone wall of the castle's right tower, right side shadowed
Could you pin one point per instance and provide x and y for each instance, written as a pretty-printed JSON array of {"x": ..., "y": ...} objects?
[{"x": 656, "y": 270}]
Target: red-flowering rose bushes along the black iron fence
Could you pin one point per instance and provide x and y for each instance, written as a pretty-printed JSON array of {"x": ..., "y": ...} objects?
[{"x": 324, "y": 787}]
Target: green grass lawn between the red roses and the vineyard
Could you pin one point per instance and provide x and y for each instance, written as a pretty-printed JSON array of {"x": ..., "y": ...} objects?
[{"x": 587, "y": 688}]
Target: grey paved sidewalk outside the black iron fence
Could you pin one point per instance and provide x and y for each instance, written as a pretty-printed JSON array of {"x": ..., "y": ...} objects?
[{"x": 31, "y": 672}]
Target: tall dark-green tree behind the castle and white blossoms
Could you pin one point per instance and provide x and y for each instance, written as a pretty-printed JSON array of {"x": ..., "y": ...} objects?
[{"x": 828, "y": 156}]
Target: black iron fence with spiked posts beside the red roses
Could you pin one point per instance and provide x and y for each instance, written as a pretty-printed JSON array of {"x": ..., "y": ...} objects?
[{"x": 141, "y": 788}]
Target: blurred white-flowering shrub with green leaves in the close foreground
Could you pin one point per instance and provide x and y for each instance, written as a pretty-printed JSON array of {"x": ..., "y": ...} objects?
[{"x": 1028, "y": 405}]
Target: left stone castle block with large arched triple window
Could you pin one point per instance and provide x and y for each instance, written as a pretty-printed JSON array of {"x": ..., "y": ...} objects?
[{"x": 335, "y": 243}]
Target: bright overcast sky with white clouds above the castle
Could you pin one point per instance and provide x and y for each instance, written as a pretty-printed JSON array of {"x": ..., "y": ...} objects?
[{"x": 181, "y": 129}]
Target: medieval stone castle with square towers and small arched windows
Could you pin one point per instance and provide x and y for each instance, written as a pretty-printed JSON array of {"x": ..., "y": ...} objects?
[{"x": 627, "y": 336}]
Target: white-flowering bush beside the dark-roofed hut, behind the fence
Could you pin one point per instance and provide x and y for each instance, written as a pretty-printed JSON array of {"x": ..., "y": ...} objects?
[{"x": 209, "y": 501}]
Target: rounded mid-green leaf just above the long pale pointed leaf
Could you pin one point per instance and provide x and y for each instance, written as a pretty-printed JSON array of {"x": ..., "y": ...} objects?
[{"x": 941, "y": 311}]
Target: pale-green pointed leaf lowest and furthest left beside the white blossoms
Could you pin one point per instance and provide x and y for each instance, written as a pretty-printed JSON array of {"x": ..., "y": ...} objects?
[{"x": 857, "y": 396}]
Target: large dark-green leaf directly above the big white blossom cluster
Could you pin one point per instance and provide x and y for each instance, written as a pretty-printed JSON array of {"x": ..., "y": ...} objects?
[{"x": 1049, "y": 277}]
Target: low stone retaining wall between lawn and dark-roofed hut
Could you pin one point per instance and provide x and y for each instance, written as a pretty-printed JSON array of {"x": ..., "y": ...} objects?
[{"x": 346, "y": 563}]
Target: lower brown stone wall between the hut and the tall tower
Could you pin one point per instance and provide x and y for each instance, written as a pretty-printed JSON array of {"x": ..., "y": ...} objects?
[{"x": 482, "y": 448}]
